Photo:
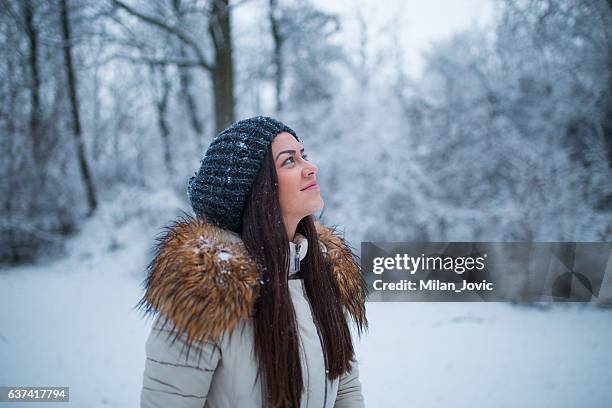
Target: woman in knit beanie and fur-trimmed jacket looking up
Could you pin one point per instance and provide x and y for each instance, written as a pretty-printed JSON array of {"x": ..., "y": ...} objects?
[{"x": 253, "y": 296}]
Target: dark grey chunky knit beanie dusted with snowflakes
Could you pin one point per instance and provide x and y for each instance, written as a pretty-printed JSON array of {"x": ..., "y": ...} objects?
[{"x": 218, "y": 191}]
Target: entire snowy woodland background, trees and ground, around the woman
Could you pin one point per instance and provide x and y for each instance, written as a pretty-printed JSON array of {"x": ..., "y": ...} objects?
[{"x": 504, "y": 133}]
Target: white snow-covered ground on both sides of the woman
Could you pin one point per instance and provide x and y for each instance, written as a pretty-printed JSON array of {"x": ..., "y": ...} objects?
[{"x": 69, "y": 322}]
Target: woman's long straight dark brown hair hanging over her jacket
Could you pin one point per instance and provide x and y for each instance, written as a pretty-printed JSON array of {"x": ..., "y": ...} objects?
[{"x": 276, "y": 339}]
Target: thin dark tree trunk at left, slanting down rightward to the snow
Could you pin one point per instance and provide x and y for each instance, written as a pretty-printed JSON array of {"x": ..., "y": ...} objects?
[{"x": 76, "y": 123}]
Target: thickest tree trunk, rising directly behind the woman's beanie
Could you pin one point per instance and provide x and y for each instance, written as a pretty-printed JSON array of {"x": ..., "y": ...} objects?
[{"x": 223, "y": 69}]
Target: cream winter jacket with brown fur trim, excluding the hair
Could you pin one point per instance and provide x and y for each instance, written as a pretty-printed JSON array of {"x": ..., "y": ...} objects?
[{"x": 201, "y": 287}]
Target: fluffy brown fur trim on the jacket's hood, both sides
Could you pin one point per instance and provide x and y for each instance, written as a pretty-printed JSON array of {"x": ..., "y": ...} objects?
[{"x": 203, "y": 279}]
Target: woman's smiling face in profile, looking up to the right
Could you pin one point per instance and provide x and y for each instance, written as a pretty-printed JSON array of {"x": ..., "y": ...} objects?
[{"x": 298, "y": 191}]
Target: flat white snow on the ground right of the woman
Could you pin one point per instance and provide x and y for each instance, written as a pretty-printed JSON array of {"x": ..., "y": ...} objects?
[{"x": 486, "y": 355}]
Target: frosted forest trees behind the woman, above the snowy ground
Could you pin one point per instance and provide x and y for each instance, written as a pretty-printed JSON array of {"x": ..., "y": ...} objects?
[{"x": 505, "y": 134}]
